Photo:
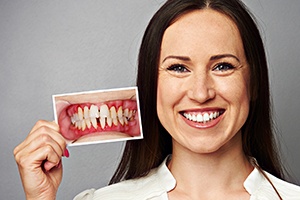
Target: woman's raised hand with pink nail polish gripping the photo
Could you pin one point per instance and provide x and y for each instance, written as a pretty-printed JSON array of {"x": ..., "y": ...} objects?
[{"x": 39, "y": 160}]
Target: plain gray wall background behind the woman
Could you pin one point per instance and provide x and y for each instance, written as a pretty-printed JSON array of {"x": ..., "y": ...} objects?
[{"x": 52, "y": 47}]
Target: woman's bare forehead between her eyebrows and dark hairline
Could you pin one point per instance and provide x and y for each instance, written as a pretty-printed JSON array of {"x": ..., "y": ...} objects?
[{"x": 202, "y": 30}]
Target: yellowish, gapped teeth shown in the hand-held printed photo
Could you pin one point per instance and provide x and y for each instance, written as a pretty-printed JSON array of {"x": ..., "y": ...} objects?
[{"x": 88, "y": 117}]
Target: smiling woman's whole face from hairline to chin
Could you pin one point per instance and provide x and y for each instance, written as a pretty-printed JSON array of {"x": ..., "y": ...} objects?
[{"x": 203, "y": 85}]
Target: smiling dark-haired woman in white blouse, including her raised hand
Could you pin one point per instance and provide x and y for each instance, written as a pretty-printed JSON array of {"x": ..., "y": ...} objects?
[{"x": 202, "y": 66}]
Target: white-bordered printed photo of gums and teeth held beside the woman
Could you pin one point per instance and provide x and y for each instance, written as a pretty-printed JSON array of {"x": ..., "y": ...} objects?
[{"x": 98, "y": 116}]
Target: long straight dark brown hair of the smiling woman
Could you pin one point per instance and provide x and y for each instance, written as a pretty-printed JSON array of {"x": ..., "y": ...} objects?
[{"x": 140, "y": 156}]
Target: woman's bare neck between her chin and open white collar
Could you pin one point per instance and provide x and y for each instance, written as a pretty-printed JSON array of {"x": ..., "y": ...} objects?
[{"x": 209, "y": 174}]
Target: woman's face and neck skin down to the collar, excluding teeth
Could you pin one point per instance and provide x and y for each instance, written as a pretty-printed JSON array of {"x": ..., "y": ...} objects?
[{"x": 194, "y": 79}]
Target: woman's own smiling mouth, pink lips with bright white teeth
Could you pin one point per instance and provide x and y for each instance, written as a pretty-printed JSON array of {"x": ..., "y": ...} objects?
[{"x": 202, "y": 118}]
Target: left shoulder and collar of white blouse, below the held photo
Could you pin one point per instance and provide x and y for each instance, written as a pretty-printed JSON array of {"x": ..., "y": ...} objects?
[{"x": 155, "y": 184}]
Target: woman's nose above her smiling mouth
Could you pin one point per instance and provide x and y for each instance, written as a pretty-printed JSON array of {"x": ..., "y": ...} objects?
[{"x": 201, "y": 88}]
